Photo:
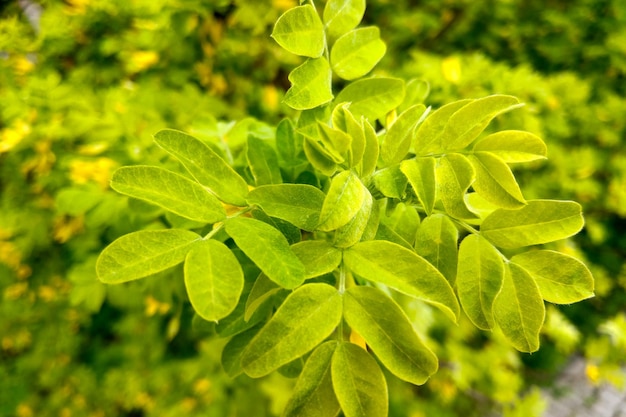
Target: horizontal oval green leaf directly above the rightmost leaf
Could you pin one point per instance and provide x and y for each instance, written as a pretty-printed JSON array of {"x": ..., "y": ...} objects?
[{"x": 540, "y": 221}]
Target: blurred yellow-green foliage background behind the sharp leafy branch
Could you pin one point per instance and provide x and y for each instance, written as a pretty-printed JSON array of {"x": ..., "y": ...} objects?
[{"x": 85, "y": 83}]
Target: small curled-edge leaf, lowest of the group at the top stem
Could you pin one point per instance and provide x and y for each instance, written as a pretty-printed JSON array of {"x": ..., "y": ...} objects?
[{"x": 310, "y": 85}]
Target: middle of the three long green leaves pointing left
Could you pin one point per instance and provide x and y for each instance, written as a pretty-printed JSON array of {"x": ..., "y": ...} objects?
[{"x": 170, "y": 191}]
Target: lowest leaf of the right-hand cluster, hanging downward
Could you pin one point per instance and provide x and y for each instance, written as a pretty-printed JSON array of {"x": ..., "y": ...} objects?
[{"x": 519, "y": 310}]
